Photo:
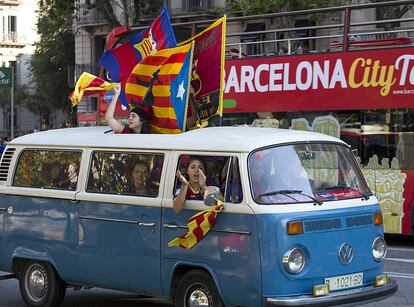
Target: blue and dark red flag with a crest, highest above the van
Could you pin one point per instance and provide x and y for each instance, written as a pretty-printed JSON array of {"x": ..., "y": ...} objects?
[{"x": 120, "y": 61}]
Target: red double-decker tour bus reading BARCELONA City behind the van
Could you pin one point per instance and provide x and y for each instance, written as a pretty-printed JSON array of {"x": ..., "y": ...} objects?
[{"x": 356, "y": 84}]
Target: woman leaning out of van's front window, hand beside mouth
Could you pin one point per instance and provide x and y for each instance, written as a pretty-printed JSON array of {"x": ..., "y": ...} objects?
[{"x": 193, "y": 187}]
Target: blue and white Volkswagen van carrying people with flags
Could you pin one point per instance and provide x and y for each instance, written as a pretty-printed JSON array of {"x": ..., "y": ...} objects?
[{"x": 299, "y": 224}]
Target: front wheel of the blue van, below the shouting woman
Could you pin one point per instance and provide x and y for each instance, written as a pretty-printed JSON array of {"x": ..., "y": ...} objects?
[{"x": 197, "y": 284}]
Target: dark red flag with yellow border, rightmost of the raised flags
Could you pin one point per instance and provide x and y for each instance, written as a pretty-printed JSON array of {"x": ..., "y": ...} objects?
[{"x": 208, "y": 69}]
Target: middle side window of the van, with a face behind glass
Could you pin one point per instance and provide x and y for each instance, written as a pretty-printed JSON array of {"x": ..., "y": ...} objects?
[{"x": 125, "y": 173}]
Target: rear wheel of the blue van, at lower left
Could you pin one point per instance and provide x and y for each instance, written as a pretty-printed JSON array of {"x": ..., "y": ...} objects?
[{"x": 40, "y": 285}]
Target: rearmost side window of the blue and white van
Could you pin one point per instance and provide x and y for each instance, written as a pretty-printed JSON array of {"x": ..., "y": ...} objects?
[{"x": 48, "y": 169}]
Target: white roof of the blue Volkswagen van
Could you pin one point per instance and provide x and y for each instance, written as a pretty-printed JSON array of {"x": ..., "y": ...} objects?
[{"x": 242, "y": 139}]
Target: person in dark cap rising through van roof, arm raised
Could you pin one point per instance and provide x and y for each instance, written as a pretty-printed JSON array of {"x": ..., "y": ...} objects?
[{"x": 138, "y": 119}]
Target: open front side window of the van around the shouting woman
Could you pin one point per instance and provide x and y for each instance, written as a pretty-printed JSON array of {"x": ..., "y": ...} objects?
[{"x": 222, "y": 172}]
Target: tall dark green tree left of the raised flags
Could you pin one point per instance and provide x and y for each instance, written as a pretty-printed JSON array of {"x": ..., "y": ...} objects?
[{"x": 53, "y": 55}]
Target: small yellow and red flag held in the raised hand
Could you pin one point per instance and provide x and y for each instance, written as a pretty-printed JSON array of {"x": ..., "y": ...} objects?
[{"x": 87, "y": 85}]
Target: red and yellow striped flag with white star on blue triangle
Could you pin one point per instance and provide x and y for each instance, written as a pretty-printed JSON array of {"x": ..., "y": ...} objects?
[{"x": 161, "y": 82}]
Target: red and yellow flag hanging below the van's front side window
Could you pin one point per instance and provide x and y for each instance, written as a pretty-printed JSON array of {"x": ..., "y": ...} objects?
[{"x": 198, "y": 226}]
